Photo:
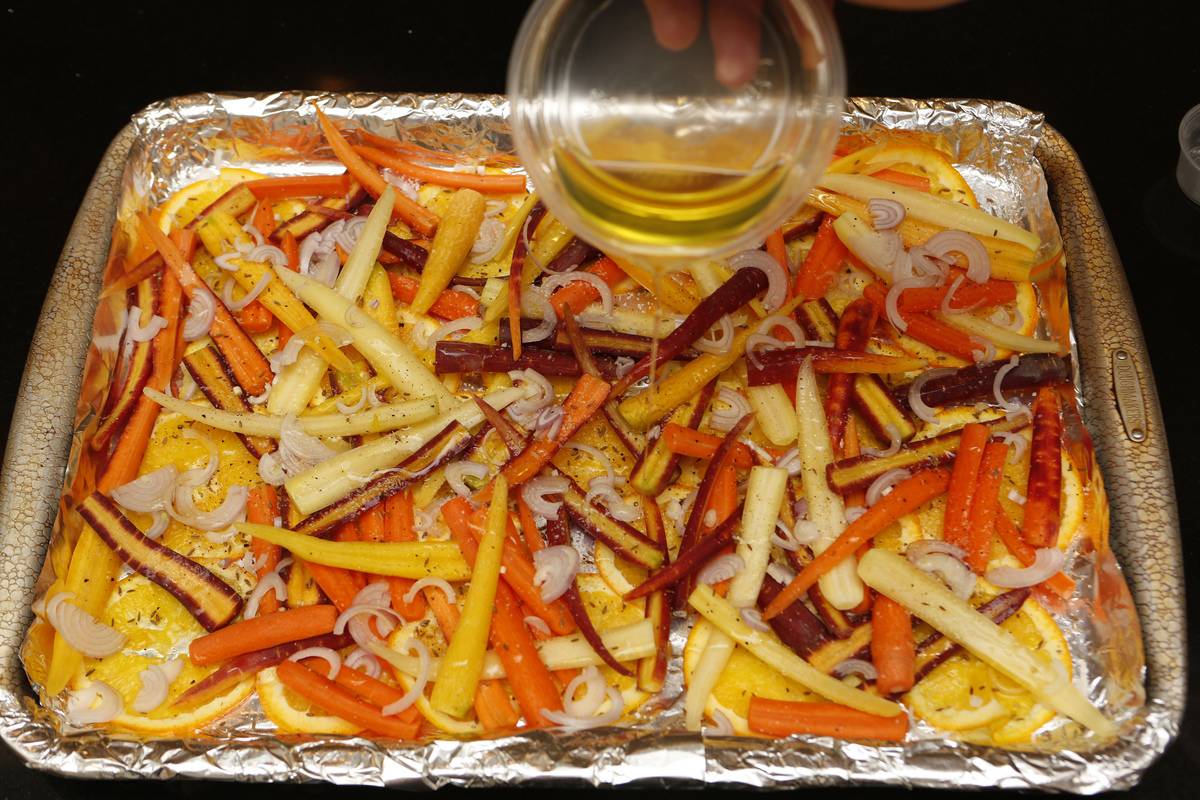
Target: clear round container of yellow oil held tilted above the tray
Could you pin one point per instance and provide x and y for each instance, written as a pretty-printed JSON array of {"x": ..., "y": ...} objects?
[{"x": 641, "y": 151}]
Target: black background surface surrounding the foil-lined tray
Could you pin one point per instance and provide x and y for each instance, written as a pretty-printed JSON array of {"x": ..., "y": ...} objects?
[{"x": 1115, "y": 79}]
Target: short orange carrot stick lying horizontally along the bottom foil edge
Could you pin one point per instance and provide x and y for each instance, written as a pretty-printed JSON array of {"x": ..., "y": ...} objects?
[{"x": 788, "y": 718}]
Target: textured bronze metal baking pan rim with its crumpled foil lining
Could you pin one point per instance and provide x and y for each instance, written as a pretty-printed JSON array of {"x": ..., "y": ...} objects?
[{"x": 1120, "y": 410}]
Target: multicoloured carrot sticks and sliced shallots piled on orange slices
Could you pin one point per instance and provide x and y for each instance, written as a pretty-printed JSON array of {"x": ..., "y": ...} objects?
[{"x": 397, "y": 453}]
